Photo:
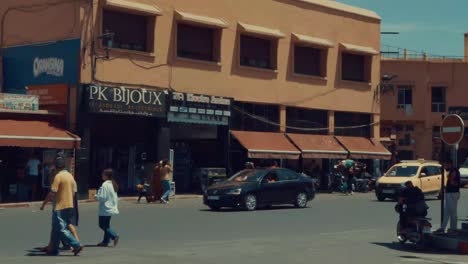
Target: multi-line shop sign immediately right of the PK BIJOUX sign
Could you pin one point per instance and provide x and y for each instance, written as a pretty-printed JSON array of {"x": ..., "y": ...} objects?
[{"x": 199, "y": 109}]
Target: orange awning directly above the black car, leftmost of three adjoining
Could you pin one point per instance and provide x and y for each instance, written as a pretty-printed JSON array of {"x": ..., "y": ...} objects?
[{"x": 266, "y": 145}]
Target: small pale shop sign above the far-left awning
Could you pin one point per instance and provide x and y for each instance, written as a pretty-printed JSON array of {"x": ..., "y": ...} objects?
[{"x": 19, "y": 102}]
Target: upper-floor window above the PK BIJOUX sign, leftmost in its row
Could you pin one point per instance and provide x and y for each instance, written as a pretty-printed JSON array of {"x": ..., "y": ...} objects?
[{"x": 131, "y": 32}]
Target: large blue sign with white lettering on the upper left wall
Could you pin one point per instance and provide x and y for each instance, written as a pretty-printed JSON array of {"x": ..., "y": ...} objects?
[{"x": 38, "y": 64}]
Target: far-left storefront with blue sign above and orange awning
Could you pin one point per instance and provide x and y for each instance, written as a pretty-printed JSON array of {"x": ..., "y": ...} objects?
[{"x": 35, "y": 116}]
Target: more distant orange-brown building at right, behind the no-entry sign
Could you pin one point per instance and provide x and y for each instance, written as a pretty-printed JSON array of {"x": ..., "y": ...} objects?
[{"x": 414, "y": 102}]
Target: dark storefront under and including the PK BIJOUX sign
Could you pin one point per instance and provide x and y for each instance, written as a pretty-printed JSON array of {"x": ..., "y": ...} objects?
[{"x": 124, "y": 129}]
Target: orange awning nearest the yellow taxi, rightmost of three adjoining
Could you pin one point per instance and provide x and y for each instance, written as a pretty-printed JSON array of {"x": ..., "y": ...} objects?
[{"x": 364, "y": 148}]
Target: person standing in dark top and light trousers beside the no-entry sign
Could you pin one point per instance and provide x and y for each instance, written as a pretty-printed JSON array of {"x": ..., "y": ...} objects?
[{"x": 452, "y": 195}]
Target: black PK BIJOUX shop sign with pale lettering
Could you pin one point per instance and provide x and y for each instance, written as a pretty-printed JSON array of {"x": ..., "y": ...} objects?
[{"x": 126, "y": 101}]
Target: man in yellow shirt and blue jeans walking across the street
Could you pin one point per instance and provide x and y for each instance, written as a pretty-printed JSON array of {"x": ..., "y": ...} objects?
[{"x": 63, "y": 188}]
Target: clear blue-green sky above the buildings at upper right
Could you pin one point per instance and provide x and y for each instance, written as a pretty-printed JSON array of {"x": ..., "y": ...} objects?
[{"x": 433, "y": 26}]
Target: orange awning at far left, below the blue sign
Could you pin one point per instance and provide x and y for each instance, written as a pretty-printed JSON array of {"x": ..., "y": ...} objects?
[{"x": 36, "y": 134}]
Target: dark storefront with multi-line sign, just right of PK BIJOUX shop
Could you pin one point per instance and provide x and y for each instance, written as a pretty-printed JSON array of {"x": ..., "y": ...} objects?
[{"x": 199, "y": 127}]
